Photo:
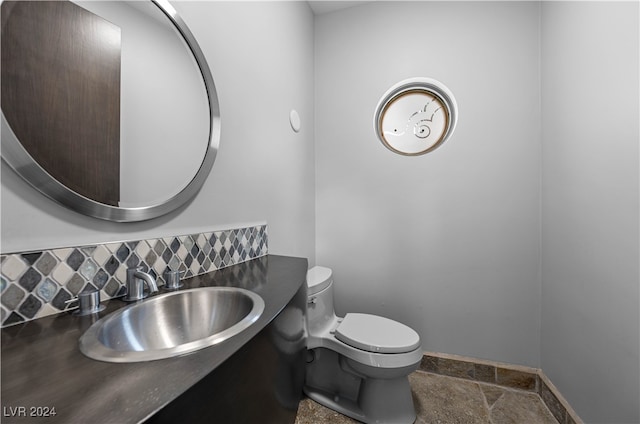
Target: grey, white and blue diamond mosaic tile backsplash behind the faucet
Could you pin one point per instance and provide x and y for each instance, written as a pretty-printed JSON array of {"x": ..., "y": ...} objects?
[{"x": 37, "y": 284}]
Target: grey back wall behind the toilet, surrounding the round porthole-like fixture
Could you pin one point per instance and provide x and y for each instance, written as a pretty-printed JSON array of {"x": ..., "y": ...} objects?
[{"x": 447, "y": 243}]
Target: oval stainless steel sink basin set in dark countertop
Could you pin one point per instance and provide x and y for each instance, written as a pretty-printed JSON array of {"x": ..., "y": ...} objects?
[{"x": 172, "y": 324}]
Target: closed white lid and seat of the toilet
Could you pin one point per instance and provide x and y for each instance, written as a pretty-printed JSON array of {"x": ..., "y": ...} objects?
[{"x": 377, "y": 334}]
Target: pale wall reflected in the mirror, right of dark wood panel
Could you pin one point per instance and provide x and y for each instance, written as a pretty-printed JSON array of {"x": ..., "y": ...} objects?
[{"x": 164, "y": 107}]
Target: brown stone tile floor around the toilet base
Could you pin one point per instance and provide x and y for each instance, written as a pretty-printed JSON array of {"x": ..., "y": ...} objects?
[{"x": 448, "y": 400}]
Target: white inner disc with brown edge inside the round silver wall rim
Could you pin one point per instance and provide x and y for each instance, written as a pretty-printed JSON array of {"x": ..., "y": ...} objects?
[{"x": 413, "y": 122}]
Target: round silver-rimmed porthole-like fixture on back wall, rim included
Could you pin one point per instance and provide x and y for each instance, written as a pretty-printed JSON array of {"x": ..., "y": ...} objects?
[{"x": 415, "y": 116}]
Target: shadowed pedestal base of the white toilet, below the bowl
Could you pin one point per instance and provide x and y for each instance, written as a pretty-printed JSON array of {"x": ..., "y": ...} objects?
[{"x": 333, "y": 383}]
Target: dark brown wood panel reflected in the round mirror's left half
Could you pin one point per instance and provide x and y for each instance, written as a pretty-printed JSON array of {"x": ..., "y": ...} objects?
[{"x": 68, "y": 121}]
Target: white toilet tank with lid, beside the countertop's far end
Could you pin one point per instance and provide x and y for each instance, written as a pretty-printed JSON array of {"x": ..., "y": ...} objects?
[{"x": 320, "y": 313}]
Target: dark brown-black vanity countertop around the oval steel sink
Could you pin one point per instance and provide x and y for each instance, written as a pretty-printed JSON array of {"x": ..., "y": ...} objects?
[{"x": 43, "y": 367}]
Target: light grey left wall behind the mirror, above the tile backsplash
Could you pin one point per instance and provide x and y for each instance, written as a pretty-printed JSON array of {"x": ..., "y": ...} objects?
[{"x": 261, "y": 58}]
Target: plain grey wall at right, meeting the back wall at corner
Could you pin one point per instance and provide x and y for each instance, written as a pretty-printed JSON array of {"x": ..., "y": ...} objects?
[{"x": 590, "y": 290}]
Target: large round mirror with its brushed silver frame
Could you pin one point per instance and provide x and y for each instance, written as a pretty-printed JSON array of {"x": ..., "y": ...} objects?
[{"x": 108, "y": 107}]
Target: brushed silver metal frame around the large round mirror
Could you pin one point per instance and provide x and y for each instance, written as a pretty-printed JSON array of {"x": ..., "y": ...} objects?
[{"x": 16, "y": 156}]
